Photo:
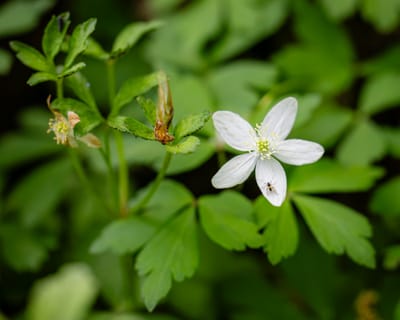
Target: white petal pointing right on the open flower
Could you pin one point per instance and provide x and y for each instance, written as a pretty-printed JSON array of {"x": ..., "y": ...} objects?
[{"x": 298, "y": 152}]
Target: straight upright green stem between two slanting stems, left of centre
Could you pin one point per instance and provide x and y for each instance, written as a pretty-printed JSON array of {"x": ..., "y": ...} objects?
[{"x": 123, "y": 183}]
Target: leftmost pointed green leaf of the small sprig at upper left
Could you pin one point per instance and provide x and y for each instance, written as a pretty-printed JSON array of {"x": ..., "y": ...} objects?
[{"x": 30, "y": 57}]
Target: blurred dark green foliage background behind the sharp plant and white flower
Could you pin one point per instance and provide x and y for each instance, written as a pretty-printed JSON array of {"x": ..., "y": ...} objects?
[{"x": 340, "y": 58}]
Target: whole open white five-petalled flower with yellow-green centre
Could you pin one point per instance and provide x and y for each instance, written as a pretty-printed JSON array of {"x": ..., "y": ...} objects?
[{"x": 264, "y": 145}]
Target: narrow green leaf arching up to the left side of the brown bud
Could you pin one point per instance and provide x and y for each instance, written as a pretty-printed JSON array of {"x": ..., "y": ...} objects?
[{"x": 132, "y": 88}]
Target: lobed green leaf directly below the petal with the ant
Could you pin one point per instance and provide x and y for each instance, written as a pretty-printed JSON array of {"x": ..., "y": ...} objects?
[{"x": 281, "y": 234}]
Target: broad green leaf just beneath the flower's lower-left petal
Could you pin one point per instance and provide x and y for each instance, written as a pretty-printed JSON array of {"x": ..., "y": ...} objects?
[{"x": 228, "y": 220}]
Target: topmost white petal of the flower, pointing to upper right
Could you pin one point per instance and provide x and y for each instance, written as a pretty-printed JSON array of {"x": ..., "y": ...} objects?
[{"x": 279, "y": 120}]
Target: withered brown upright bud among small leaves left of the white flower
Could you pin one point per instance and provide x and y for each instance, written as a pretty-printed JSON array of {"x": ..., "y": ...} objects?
[{"x": 164, "y": 112}]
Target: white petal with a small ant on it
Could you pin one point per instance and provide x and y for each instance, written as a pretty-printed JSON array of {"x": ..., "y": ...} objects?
[{"x": 271, "y": 180}]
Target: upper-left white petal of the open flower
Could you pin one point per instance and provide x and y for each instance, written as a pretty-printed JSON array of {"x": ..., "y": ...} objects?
[{"x": 236, "y": 131}]
